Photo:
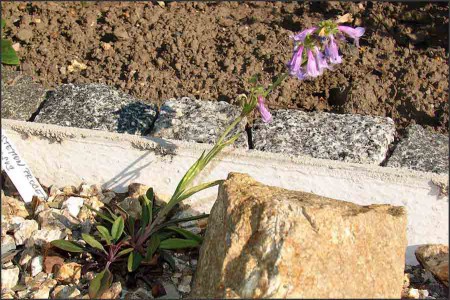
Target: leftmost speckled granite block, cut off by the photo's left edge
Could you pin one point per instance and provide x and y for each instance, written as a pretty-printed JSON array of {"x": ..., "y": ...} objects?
[{"x": 21, "y": 96}]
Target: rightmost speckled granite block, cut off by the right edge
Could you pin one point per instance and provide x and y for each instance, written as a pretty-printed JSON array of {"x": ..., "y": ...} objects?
[{"x": 421, "y": 150}]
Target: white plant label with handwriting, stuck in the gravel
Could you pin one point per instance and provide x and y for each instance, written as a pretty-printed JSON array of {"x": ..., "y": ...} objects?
[{"x": 19, "y": 172}]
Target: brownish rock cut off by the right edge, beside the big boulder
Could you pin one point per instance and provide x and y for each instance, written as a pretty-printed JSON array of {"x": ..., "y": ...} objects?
[{"x": 434, "y": 258}]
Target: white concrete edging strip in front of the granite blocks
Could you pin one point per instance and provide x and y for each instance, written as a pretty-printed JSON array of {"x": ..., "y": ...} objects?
[{"x": 68, "y": 156}]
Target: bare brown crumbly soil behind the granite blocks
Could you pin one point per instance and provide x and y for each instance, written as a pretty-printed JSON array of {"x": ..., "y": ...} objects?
[{"x": 209, "y": 50}]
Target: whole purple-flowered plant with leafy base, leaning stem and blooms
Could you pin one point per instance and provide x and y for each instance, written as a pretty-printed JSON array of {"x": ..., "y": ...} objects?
[{"x": 141, "y": 238}]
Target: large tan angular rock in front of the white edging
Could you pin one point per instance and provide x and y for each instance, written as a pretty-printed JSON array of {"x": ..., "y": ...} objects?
[{"x": 268, "y": 242}]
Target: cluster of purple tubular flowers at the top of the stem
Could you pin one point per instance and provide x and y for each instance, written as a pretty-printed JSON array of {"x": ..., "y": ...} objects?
[{"x": 317, "y": 48}]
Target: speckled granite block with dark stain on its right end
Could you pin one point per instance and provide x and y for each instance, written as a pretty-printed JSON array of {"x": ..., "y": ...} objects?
[{"x": 97, "y": 106}]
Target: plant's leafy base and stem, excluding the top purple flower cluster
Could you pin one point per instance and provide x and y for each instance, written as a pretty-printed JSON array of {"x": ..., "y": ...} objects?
[{"x": 140, "y": 238}]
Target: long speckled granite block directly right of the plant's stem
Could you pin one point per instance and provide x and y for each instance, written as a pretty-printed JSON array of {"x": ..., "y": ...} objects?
[{"x": 349, "y": 138}]
